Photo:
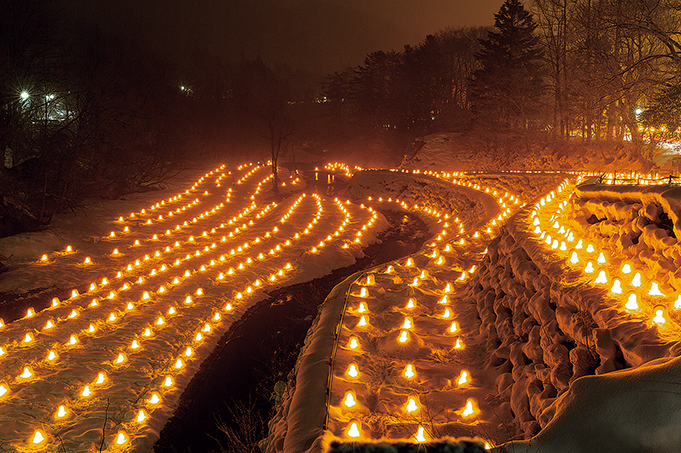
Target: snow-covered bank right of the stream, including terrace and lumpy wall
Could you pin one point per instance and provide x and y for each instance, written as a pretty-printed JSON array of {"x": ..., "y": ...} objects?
[{"x": 581, "y": 282}]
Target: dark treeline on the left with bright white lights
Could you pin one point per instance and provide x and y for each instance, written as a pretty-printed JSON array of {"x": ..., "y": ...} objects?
[{"x": 87, "y": 113}]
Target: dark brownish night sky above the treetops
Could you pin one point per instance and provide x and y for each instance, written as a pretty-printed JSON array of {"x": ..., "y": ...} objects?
[{"x": 319, "y": 36}]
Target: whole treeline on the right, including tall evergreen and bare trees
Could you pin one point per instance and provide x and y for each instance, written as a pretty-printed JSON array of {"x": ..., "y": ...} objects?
[{"x": 554, "y": 70}]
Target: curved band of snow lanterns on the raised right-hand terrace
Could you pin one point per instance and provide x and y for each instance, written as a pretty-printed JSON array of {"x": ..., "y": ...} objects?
[{"x": 598, "y": 266}]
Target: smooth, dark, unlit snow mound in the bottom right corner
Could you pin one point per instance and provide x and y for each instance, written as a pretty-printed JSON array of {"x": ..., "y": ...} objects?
[{"x": 620, "y": 412}]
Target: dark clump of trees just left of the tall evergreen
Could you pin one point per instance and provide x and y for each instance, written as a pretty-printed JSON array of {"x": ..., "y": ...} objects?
[{"x": 422, "y": 88}]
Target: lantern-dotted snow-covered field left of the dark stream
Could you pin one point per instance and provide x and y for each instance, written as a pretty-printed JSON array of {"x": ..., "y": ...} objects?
[{"x": 153, "y": 288}]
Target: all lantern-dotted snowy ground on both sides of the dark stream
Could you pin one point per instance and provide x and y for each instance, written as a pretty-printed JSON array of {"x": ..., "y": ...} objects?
[{"x": 528, "y": 283}]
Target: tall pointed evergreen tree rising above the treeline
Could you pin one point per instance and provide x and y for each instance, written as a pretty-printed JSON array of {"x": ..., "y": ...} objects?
[{"x": 508, "y": 87}]
